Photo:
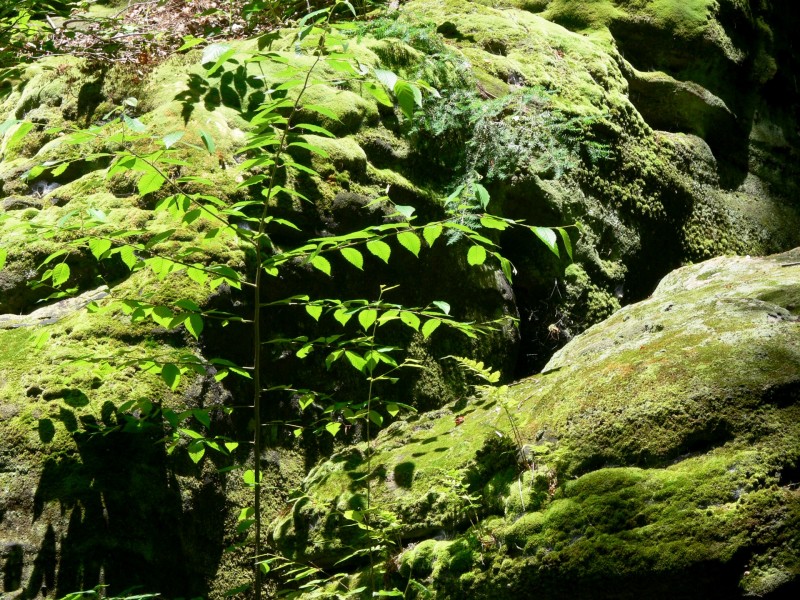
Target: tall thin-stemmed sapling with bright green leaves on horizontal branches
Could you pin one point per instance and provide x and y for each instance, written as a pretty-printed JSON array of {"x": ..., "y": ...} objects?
[{"x": 180, "y": 241}]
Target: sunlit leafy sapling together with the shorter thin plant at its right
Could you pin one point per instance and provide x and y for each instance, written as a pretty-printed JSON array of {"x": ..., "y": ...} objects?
[{"x": 278, "y": 130}]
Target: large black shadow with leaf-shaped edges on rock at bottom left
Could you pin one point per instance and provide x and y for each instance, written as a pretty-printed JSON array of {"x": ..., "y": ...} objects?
[{"x": 127, "y": 522}]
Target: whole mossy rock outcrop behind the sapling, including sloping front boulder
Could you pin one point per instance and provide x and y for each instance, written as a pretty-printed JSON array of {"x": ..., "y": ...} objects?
[{"x": 657, "y": 452}]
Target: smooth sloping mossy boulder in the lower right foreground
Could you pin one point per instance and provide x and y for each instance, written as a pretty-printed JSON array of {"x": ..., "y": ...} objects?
[{"x": 656, "y": 456}]
